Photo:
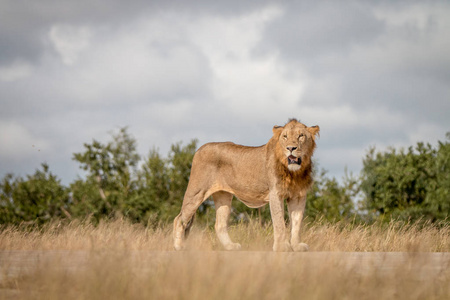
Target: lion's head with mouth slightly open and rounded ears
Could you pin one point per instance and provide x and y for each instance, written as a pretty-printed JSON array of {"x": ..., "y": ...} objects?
[{"x": 295, "y": 144}]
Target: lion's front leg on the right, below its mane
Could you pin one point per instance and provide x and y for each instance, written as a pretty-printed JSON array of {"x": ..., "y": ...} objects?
[{"x": 296, "y": 208}]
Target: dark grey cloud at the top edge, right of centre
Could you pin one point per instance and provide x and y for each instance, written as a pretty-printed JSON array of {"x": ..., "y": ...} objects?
[{"x": 317, "y": 29}]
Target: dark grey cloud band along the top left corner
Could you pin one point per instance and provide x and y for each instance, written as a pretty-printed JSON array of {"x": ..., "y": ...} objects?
[{"x": 24, "y": 26}]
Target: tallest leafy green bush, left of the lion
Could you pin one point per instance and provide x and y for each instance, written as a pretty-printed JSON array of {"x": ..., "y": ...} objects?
[{"x": 111, "y": 181}]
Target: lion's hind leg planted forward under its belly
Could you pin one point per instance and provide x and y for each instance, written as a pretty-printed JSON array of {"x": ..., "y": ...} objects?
[{"x": 222, "y": 202}]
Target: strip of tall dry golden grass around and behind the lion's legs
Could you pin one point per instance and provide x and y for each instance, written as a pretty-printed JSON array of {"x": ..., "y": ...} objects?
[{"x": 121, "y": 235}]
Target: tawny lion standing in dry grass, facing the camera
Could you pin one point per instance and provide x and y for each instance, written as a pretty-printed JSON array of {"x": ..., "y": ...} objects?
[{"x": 269, "y": 174}]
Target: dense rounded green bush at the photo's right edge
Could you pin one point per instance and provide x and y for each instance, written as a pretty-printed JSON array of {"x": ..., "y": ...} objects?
[{"x": 412, "y": 184}]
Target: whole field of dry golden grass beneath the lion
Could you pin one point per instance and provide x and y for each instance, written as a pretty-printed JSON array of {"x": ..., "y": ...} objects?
[{"x": 118, "y": 260}]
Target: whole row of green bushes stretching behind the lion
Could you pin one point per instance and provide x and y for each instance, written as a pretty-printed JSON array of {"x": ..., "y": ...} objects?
[{"x": 407, "y": 185}]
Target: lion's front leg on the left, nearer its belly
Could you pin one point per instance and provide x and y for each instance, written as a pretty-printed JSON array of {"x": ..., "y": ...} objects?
[{"x": 280, "y": 242}]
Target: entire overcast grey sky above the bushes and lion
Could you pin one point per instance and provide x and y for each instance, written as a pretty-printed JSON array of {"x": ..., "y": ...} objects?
[{"x": 369, "y": 73}]
